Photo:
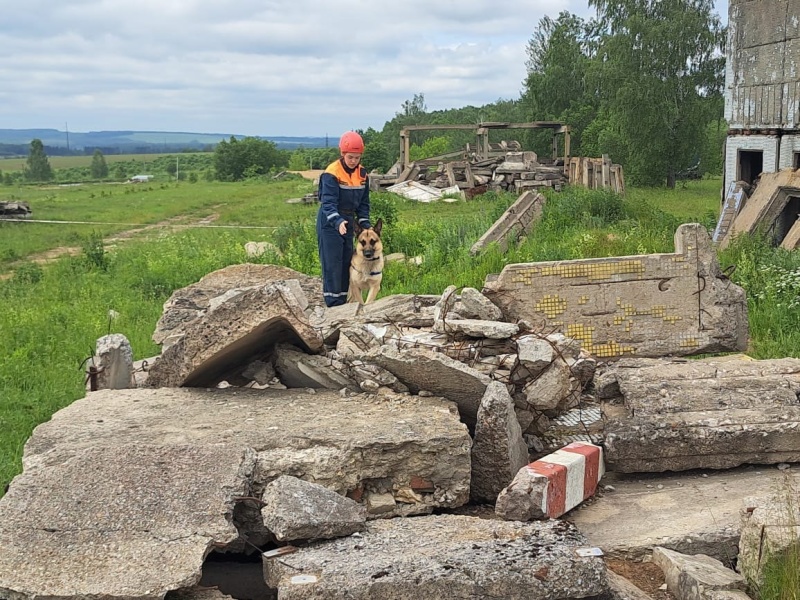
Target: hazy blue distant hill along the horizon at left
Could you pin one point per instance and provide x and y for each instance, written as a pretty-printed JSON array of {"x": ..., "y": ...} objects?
[{"x": 16, "y": 141}]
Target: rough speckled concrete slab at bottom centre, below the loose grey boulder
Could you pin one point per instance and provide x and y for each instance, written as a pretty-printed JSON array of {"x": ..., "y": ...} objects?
[{"x": 442, "y": 556}]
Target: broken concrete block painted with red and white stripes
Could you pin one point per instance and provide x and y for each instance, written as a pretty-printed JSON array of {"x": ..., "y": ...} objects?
[{"x": 553, "y": 485}]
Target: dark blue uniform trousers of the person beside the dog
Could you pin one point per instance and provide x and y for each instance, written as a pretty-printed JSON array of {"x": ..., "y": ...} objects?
[{"x": 335, "y": 252}]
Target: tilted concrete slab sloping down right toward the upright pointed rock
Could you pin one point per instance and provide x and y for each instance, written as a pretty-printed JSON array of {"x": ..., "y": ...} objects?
[{"x": 421, "y": 369}]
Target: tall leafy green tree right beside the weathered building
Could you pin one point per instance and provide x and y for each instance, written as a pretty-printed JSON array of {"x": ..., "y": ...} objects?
[{"x": 660, "y": 73}]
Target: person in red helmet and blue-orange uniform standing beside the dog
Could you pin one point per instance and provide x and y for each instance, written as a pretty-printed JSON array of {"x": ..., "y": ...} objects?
[{"x": 344, "y": 197}]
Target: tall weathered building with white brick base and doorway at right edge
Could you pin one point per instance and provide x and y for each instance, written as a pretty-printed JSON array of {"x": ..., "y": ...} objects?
[{"x": 762, "y": 87}]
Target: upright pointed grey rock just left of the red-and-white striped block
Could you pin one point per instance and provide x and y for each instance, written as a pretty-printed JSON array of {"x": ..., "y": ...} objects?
[{"x": 498, "y": 450}]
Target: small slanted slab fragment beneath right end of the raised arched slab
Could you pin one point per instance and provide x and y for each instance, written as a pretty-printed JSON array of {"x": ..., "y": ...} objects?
[{"x": 300, "y": 370}]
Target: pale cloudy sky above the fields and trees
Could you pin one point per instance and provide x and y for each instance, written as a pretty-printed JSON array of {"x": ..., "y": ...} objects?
[{"x": 258, "y": 67}]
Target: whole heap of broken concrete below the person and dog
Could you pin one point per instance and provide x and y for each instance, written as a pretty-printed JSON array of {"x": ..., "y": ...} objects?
[{"x": 311, "y": 433}]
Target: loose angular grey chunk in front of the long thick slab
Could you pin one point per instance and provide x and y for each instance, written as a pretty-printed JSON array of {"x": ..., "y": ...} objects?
[{"x": 300, "y": 510}]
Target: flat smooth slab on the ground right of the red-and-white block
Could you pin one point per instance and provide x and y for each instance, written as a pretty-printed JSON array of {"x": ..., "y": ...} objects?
[{"x": 693, "y": 513}]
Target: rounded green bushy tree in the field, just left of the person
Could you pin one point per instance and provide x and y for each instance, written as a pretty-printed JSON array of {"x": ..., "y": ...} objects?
[{"x": 235, "y": 159}]
